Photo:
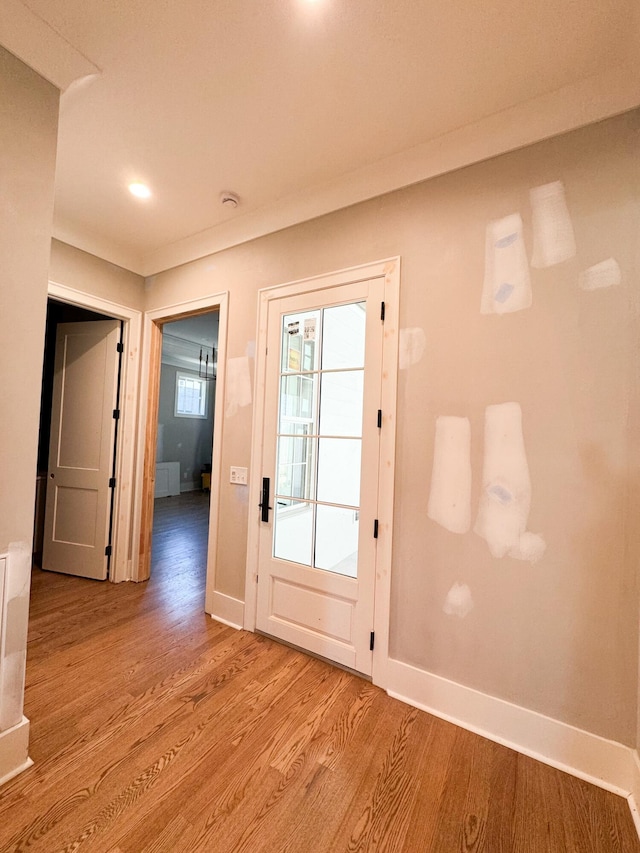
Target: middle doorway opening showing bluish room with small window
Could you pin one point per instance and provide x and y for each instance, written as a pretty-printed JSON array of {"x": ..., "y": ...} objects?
[{"x": 184, "y": 446}]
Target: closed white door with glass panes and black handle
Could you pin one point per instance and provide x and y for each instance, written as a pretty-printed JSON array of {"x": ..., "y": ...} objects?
[{"x": 317, "y": 545}]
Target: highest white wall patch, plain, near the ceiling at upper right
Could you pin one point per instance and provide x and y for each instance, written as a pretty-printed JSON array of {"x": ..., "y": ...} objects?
[{"x": 553, "y": 237}]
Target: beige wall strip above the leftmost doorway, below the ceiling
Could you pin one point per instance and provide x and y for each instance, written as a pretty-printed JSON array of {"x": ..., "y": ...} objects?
[{"x": 82, "y": 271}]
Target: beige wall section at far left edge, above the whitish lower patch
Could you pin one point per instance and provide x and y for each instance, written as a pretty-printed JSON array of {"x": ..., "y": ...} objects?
[{"x": 29, "y": 113}]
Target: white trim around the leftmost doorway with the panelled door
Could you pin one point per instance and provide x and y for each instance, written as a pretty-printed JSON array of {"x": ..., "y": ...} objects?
[{"x": 123, "y": 510}]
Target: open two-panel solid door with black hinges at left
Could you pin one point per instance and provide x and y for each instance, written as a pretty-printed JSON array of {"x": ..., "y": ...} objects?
[{"x": 78, "y": 501}]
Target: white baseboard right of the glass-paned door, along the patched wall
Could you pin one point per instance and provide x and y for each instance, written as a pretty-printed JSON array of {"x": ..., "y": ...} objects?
[{"x": 605, "y": 763}]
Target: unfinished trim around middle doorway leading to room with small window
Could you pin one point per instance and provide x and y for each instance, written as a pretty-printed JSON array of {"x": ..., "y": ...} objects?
[{"x": 147, "y": 433}]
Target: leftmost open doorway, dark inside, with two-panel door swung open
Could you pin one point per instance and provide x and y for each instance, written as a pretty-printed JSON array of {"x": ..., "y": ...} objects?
[{"x": 74, "y": 517}]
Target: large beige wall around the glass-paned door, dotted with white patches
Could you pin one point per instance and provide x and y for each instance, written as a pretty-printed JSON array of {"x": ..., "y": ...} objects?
[{"x": 558, "y": 636}]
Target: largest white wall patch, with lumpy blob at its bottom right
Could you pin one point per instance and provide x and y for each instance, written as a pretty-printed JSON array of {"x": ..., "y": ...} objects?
[{"x": 506, "y": 487}]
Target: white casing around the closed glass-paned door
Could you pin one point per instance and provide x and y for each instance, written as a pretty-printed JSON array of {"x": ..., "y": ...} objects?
[{"x": 389, "y": 270}]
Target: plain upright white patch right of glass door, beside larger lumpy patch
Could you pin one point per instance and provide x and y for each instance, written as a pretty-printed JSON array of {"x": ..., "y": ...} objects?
[{"x": 450, "y": 495}]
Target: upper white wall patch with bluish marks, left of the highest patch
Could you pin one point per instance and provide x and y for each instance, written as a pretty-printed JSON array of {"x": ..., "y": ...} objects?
[{"x": 507, "y": 284}]
